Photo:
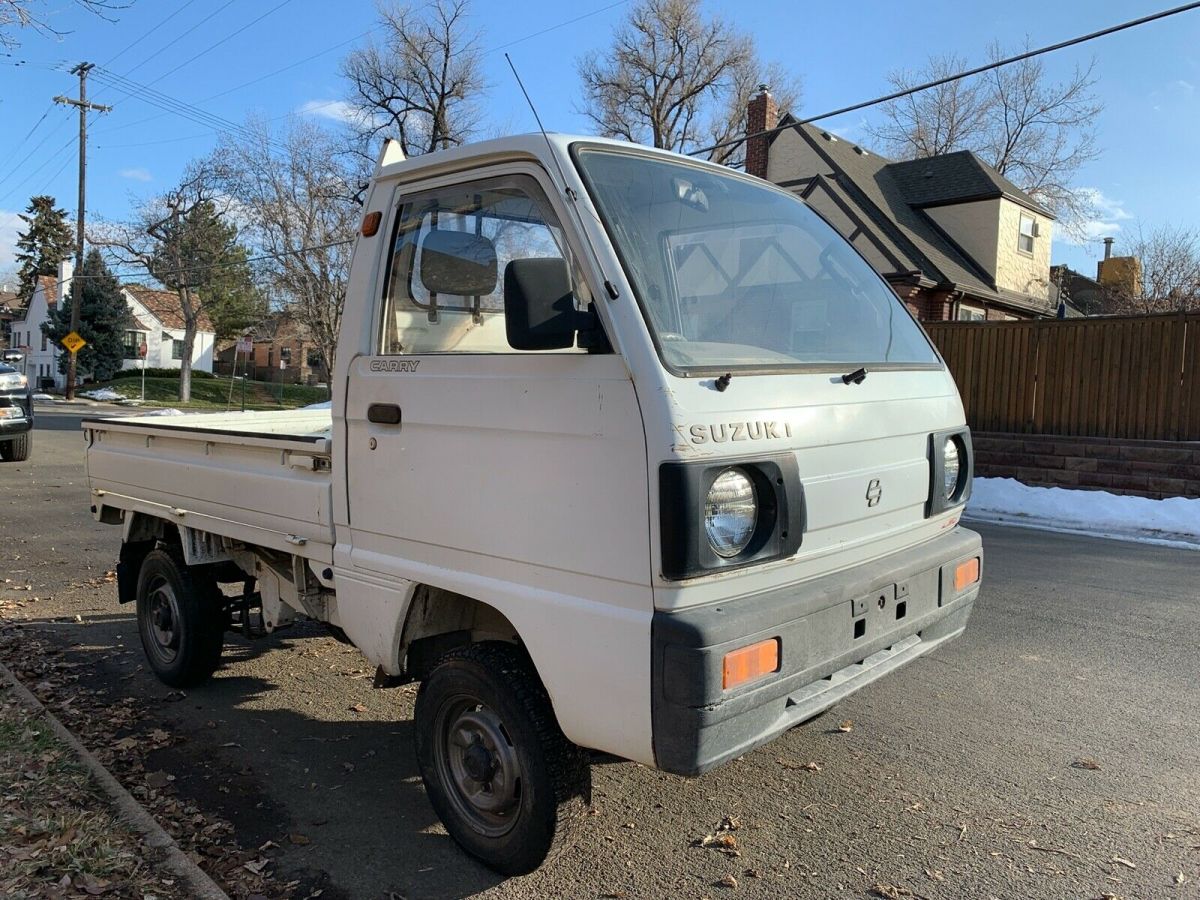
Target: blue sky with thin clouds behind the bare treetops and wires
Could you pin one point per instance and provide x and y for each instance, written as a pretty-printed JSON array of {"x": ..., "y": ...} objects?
[{"x": 1149, "y": 82}]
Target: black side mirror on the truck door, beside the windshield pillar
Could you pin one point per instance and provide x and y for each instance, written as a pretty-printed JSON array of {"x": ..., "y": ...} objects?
[{"x": 539, "y": 307}]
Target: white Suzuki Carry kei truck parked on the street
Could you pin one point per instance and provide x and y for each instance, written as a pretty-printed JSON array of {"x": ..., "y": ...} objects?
[{"x": 627, "y": 453}]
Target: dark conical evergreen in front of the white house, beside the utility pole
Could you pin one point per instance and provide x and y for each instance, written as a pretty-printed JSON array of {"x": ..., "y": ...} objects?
[{"x": 104, "y": 320}]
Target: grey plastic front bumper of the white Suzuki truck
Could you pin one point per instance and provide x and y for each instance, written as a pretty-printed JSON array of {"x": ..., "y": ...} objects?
[{"x": 907, "y": 603}]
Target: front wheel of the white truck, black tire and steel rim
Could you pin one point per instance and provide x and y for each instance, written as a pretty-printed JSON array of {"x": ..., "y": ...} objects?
[{"x": 484, "y": 719}]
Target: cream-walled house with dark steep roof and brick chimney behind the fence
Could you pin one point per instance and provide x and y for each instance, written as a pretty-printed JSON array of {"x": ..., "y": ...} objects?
[{"x": 955, "y": 238}]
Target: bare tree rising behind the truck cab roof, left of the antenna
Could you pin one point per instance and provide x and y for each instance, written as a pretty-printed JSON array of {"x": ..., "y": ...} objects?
[{"x": 422, "y": 81}]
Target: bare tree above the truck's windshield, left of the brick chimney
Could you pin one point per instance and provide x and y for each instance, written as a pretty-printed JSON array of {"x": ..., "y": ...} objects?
[{"x": 677, "y": 80}]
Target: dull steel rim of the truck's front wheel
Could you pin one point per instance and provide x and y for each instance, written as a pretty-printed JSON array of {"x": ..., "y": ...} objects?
[{"x": 478, "y": 766}]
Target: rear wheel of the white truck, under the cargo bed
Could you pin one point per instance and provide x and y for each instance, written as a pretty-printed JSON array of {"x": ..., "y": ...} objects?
[{"x": 181, "y": 620}]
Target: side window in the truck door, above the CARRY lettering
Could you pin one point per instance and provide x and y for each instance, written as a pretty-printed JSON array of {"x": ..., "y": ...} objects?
[{"x": 452, "y": 247}]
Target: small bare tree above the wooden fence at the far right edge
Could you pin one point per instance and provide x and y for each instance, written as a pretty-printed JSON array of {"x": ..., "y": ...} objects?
[{"x": 1169, "y": 278}]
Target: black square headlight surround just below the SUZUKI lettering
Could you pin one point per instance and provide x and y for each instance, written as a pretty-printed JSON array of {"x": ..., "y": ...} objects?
[{"x": 683, "y": 489}]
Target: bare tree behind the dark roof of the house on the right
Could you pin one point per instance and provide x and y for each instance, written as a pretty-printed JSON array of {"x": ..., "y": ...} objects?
[{"x": 1034, "y": 131}]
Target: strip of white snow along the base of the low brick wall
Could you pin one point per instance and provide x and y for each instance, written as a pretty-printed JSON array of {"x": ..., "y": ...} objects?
[{"x": 1174, "y": 521}]
